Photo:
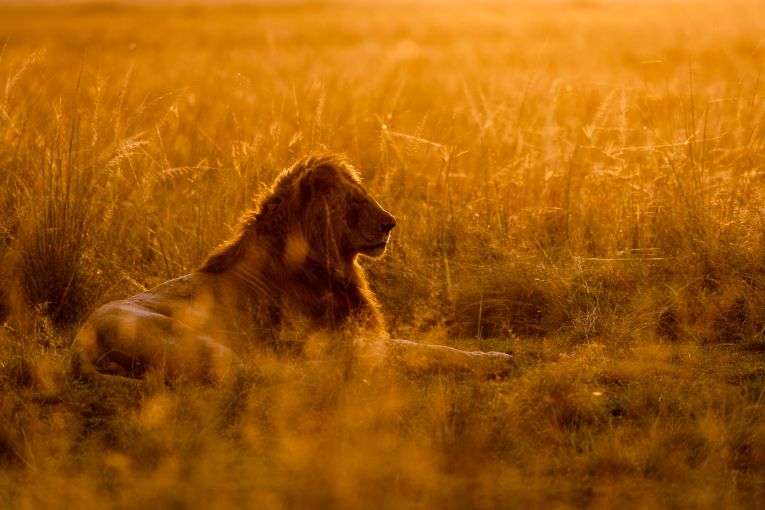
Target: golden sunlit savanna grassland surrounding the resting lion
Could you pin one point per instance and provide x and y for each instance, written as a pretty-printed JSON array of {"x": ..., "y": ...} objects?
[{"x": 580, "y": 184}]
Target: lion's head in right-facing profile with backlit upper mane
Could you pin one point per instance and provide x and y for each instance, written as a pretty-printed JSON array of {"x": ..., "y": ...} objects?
[{"x": 319, "y": 210}]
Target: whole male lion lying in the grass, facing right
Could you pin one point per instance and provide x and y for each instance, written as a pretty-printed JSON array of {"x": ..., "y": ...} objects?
[{"x": 290, "y": 265}]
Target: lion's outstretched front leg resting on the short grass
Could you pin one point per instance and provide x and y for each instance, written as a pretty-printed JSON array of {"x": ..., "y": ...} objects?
[{"x": 425, "y": 357}]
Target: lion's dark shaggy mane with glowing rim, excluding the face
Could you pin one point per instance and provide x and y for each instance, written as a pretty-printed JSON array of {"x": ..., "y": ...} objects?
[{"x": 318, "y": 280}]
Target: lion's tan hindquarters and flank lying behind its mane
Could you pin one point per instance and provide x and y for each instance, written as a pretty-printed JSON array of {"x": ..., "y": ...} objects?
[{"x": 191, "y": 326}]
